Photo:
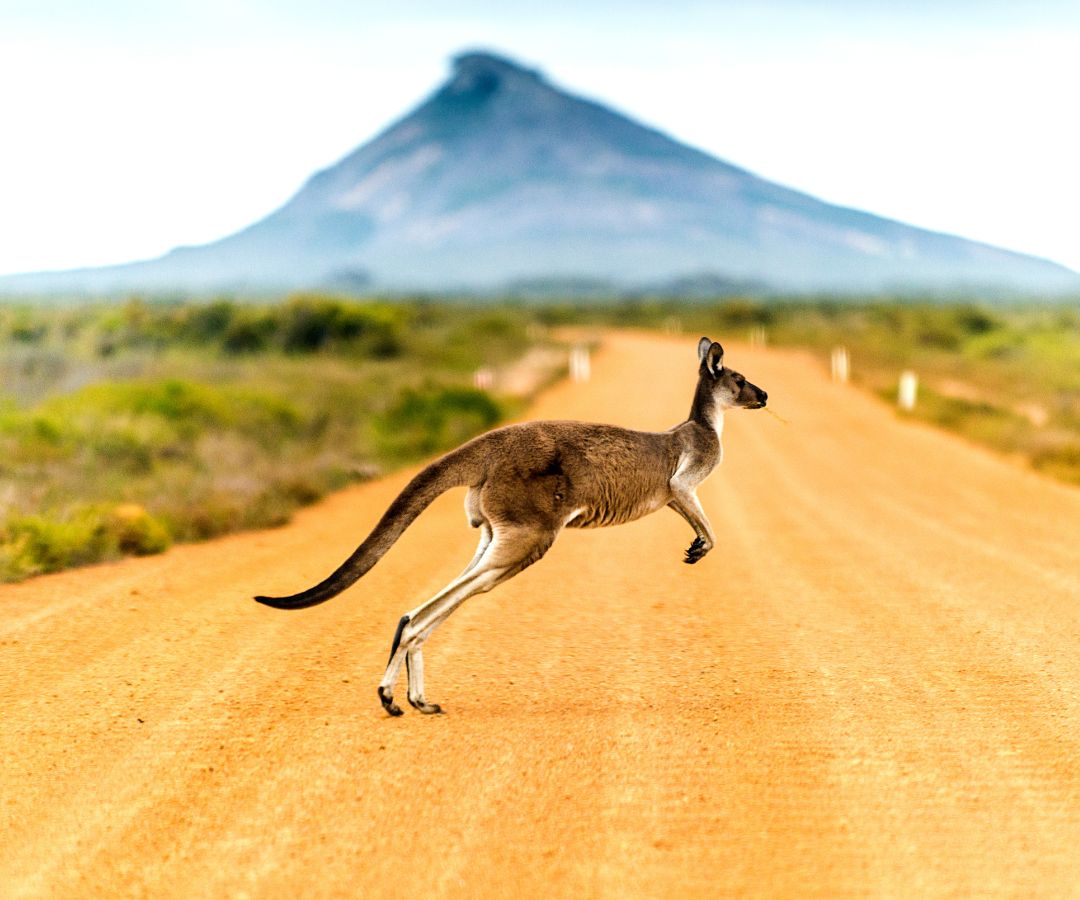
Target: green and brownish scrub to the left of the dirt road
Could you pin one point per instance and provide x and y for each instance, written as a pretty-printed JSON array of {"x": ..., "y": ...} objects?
[{"x": 127, "y": 428}]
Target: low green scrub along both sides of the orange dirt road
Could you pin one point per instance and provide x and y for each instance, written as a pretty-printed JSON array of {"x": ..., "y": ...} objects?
[{"x": 128, "y": 427}]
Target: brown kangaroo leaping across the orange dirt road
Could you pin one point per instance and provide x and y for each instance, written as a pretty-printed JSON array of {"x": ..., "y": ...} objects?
[{"x": 526, "y": 483}]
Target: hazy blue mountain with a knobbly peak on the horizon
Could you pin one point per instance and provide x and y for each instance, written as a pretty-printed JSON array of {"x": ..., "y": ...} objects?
[{"x": 501, "y": 179}]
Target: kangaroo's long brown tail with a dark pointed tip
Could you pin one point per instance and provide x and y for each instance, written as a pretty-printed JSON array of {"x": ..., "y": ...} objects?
[{"x": 457, "y": 468}]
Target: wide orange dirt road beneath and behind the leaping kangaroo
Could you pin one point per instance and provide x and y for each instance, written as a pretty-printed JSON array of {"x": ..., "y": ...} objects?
[{"x": 871, "y": 688}]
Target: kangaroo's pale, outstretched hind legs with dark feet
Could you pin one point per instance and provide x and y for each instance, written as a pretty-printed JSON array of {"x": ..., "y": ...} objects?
[{"x": 509, "y": 552}]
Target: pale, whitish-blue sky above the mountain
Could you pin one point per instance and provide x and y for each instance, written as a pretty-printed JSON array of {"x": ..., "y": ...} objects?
[{"x": 131, "y": 128}]
